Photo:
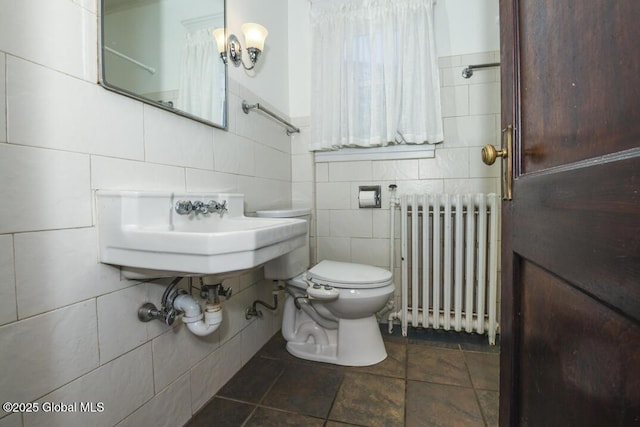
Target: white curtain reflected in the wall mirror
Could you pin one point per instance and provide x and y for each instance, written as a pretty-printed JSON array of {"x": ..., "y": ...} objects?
[{"x": 201, "y": 93}]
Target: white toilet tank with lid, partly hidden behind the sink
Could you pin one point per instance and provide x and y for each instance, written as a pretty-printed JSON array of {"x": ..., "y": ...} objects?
[{"x": 295, "y": 262}]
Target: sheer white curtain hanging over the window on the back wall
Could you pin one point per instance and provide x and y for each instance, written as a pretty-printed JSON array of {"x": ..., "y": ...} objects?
[{"x": 375, "y": 77}]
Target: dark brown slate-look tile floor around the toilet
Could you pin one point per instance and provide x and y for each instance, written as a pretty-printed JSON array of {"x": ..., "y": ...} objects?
[{"x": 430, "y": 378}]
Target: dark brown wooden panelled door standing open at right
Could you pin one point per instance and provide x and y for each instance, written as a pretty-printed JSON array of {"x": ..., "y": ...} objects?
[{"x": 570, "y": 324}]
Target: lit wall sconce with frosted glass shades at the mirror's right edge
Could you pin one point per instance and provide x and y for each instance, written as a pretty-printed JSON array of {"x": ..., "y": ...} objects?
[{"x": 230, "y": 48}]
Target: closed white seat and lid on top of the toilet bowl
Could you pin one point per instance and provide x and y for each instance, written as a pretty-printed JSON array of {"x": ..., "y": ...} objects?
[{"x": 348, "y": 275}]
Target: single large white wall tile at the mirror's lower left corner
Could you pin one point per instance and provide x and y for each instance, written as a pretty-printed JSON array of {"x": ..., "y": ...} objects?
[{"x": 47, "y": 108}]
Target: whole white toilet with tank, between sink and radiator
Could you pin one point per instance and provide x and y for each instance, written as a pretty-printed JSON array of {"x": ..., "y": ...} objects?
[{"x": 329, "y": 311}]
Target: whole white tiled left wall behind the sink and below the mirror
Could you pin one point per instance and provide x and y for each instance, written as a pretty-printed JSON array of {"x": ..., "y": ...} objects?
[{"x": 68, "y": 324}]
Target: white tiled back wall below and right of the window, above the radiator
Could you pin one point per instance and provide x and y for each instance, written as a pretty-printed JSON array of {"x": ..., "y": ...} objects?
[{"x": 471, "y": 109}]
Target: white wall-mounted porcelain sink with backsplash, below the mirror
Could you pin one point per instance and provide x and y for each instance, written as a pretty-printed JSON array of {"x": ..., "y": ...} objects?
[{"x": 144, "y": 233}]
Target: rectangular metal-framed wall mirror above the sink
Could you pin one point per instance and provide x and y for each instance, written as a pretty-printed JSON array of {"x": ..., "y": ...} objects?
[{"x": 162, "y": 52}]
